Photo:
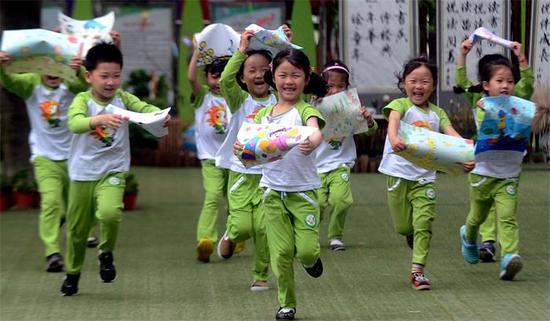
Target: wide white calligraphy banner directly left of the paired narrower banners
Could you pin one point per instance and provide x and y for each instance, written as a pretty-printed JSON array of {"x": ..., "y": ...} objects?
[{"x": 379, "y": 37}]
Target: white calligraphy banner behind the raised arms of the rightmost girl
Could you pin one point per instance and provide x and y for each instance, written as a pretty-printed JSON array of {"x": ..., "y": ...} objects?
[{"x": 458, "y": 19}]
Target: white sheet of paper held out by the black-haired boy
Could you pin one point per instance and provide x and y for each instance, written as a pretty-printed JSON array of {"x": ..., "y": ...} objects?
[{"x": 152, "y": 122}]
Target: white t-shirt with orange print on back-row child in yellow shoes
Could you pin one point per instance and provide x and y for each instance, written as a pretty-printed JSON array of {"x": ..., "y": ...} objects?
[{"x": 212, "y": 118}]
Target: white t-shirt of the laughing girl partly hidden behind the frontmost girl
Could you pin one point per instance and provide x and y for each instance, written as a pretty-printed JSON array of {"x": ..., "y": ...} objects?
[{"x": 225, "y": 157}]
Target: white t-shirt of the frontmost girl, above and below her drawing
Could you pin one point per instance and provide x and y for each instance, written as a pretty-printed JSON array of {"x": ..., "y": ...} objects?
[{"x": 295, "y": 172}]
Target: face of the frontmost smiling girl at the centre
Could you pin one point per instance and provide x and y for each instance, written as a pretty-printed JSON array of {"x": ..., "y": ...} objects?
[{"x": 290, "y": 82}]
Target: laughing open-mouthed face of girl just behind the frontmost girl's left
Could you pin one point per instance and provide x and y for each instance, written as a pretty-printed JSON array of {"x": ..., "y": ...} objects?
[{"x": 254, "y": 70}]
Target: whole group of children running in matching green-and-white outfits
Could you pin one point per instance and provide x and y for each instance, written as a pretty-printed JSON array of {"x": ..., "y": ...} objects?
[{"x": 80, "y": 154}]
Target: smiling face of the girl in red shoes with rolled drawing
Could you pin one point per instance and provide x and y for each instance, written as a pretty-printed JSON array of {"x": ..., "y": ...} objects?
[{"x": 419, "y": 86}]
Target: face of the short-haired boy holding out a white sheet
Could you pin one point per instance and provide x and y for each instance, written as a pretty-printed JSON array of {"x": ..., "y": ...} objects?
[{"x": 105, "y": 80}]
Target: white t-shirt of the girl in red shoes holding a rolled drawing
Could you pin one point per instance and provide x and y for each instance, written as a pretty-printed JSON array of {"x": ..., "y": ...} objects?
[{"x": 434, "y": 118}]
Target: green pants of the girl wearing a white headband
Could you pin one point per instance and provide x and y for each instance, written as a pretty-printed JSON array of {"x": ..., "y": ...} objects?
[{"x": 336, "y": 195}]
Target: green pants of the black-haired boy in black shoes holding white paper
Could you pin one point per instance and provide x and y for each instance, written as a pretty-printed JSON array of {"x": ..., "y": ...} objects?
[{"x": 88, "y": 201}]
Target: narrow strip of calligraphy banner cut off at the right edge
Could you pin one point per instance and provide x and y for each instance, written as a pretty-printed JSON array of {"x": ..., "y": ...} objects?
[{"x": 540, "y": 42}]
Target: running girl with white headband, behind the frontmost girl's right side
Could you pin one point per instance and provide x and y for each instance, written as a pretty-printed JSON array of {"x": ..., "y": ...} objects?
[{"x": 334, "y": 161}]
